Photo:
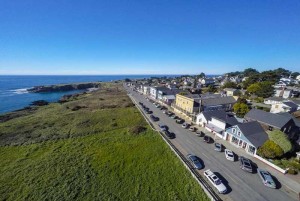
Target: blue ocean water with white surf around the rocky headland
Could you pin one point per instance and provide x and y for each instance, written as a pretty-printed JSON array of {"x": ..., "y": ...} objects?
[{"x": 13, "y": 94}]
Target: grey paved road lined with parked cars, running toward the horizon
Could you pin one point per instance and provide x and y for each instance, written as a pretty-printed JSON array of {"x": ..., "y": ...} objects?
[{"x": 242, "y": 185}]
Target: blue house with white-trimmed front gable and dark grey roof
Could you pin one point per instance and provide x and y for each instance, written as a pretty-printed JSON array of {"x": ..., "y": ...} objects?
[{"x": 248, "y": 136}]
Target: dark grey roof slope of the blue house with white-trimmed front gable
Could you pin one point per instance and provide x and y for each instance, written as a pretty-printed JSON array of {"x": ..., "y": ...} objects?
[{"x": 254, "y": 133}]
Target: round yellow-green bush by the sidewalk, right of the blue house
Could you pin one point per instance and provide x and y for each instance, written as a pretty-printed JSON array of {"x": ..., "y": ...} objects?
[{"x": 270, "y": 150}]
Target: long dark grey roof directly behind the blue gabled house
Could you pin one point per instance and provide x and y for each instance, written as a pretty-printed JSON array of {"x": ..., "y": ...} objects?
[{"x": 268, "y": 118}]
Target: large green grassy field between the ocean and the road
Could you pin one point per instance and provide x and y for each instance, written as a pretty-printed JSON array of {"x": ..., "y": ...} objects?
[{"x": 89, "y": 154}]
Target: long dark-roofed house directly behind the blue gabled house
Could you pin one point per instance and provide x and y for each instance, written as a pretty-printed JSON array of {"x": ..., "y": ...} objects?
[{"x": 270, "y": 121}]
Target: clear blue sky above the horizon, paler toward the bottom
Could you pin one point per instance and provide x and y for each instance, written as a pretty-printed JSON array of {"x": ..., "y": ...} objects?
[{"x": 148, "y": 36}]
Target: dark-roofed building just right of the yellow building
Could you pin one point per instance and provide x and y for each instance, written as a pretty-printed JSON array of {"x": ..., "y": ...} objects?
[{"x": 217, "y": 103}]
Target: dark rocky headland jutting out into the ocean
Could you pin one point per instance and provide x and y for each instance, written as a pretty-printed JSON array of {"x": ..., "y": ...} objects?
[{"x": 64, "y": 87}]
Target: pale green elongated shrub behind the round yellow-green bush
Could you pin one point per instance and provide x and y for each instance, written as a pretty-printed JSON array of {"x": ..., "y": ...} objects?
[{"x": 281, "y": 139}]
